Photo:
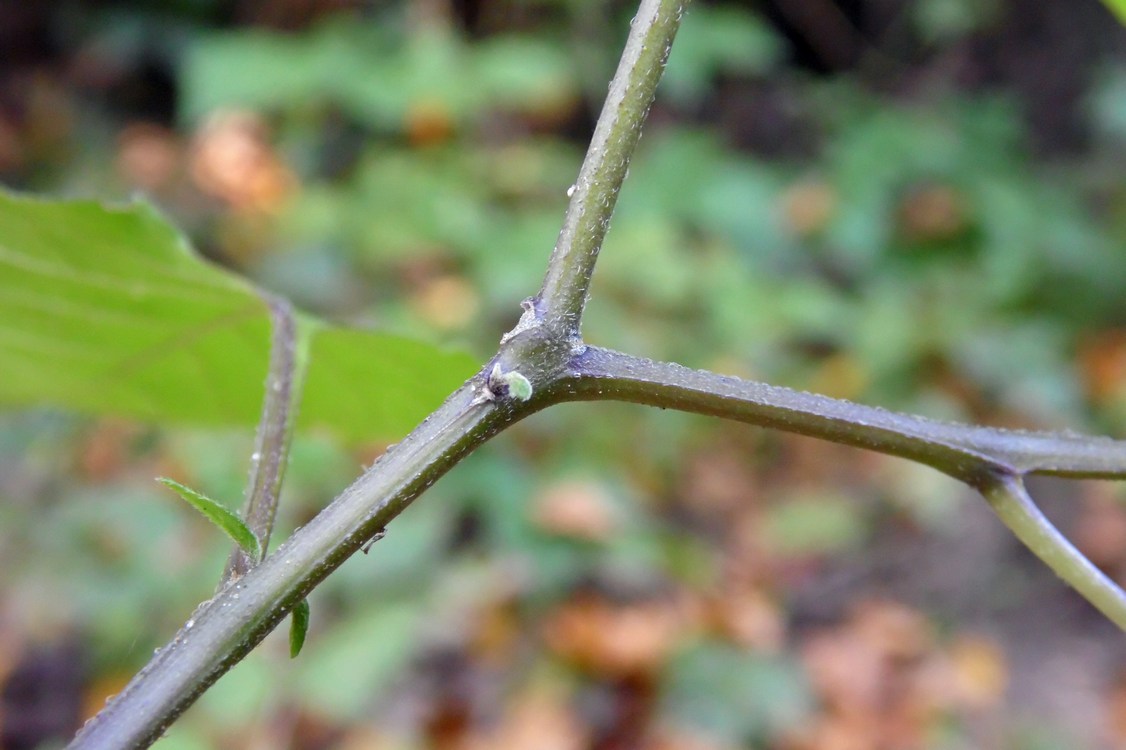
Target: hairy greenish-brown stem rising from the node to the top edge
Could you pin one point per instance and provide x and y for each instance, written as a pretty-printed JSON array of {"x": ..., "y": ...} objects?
[{"x": 564, "y": 294}]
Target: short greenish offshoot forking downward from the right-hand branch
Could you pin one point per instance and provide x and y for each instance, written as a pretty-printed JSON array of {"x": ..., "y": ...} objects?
[{"x": 1007, "y": 496}]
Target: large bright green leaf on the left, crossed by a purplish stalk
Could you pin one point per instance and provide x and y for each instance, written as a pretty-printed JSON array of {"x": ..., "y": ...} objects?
[{"x": 108, "y": 310}]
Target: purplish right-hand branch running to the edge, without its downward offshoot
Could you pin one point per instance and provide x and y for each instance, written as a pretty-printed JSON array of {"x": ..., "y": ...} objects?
[{"x": 963, "y": 452}]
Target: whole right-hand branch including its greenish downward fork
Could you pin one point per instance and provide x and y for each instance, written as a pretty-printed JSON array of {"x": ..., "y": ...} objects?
[{"x": 989, "y": 460}]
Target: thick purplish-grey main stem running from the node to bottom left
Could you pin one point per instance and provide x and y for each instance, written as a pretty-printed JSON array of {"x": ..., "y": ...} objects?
[{"x": 227, "y": 628}]
